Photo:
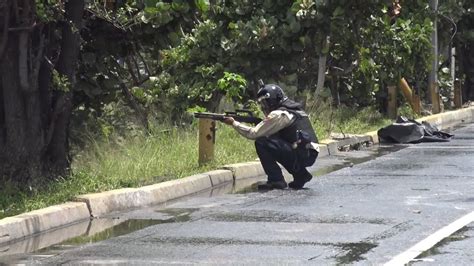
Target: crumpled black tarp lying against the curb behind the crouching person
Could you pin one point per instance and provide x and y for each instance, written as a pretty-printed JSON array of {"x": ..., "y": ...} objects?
[{"x": 406, "y": 130}]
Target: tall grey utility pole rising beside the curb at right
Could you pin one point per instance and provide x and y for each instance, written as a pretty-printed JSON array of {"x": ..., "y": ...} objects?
[{"x": 433, "y": 78}]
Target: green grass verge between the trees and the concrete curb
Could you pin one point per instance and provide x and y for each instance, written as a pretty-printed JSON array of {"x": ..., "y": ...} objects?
[{"x": 163, "y": 155}]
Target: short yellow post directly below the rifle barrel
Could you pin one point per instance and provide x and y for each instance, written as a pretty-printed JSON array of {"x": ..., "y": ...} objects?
[{"x": 207, "y": 139}]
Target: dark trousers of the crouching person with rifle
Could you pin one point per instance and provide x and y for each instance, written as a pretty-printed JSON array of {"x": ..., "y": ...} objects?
[{"x": 273, "y": 150}]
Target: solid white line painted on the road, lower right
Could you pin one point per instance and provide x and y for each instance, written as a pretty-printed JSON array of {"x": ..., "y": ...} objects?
[{"x": 430, "y": 241}]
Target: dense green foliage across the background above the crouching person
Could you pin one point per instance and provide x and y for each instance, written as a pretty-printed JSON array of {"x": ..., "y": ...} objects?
[{"x": 185, "y": 48}]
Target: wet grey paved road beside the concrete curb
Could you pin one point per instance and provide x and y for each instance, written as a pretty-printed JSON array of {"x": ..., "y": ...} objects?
[{"x": 362, "y": 215}]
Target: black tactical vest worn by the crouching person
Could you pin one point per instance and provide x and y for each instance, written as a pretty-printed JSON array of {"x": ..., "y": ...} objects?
[{"x": 300, "y": 123}]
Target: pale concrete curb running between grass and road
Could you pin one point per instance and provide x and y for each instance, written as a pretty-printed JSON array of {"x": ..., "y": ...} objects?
[{"x": 98, "y": 204}]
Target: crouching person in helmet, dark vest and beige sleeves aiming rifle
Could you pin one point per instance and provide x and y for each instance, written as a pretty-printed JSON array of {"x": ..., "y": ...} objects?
[{"x": 285, "y": 136}]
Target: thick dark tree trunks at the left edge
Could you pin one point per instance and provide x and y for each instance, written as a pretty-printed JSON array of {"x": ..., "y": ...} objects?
[{"x": 39, "y": 48}]
